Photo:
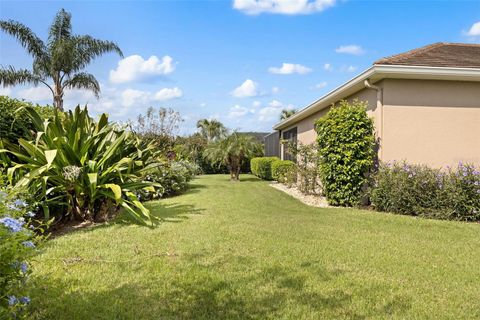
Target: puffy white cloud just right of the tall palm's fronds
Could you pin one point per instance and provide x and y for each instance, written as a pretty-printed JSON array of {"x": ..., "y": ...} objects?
[{"x": 134, "y": 68}]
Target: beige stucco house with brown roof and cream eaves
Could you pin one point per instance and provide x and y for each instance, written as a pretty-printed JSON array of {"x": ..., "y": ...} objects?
[{"x": 425, "y": 104}]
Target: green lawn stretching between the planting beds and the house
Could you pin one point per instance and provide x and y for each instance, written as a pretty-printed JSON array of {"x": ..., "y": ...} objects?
[{"x": 247, "y": 251}]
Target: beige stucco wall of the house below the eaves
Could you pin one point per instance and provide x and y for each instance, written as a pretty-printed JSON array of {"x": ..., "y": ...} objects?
[{"x": 425, "y": 122}]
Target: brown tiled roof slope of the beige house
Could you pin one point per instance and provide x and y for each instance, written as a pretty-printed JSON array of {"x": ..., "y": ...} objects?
[{"x": 441, "y": 54}]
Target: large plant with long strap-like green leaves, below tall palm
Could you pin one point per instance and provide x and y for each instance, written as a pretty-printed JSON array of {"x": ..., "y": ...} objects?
[{"x": 82, "y": 169}]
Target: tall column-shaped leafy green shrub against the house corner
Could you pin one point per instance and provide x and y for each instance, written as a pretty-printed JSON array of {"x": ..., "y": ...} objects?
[{"x": 347, "y": 149}]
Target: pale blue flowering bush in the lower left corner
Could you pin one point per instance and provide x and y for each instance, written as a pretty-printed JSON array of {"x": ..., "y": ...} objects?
[{"x": 18, "y": 241}]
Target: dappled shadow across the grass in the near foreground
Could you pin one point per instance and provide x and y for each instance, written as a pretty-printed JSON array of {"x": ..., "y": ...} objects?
[{"x": 274, "y": 292}]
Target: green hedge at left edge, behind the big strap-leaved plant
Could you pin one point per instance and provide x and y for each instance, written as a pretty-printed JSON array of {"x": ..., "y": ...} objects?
[{"x": 15, "y": 123}]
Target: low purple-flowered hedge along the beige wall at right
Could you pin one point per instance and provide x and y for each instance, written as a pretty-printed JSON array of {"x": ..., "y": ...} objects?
[{"x": 452, "y": 194}]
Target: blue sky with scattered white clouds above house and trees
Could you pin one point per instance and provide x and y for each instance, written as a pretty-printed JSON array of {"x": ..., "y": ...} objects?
[{"x": 238, "y": 61}]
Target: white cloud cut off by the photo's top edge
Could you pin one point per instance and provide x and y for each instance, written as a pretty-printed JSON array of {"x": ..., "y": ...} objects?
[{"x": 289, "y": 7}]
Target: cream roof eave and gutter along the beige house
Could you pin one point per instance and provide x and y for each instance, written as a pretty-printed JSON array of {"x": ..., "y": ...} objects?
[{"x": 378, "y": 72}]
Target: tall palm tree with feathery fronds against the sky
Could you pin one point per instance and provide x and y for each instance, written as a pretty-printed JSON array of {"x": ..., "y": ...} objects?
[{"x": 61, "y": 59}]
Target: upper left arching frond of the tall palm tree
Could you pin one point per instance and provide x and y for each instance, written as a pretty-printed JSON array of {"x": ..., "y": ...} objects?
[{"x": 27, "y": 38}]
